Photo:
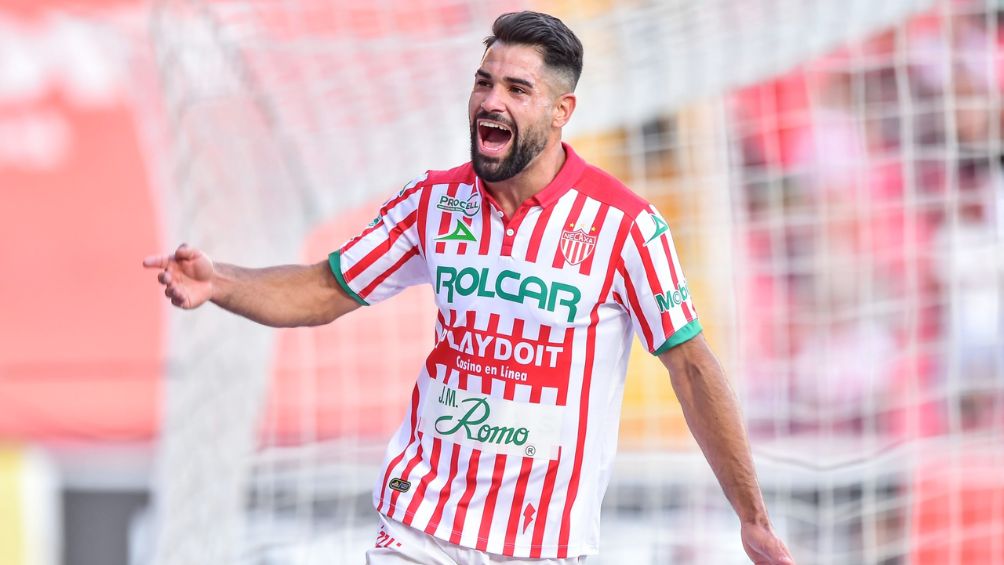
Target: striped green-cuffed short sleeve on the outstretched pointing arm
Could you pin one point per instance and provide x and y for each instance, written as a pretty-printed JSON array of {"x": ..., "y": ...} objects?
[{"x": 386, "y": 257}]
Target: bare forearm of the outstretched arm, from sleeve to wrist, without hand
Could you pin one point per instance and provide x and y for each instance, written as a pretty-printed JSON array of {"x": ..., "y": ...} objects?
[{"x": 284, "y": 297}]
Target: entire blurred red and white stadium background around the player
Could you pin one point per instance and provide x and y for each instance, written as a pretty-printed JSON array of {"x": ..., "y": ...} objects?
[{"x": 832, "y": 172}]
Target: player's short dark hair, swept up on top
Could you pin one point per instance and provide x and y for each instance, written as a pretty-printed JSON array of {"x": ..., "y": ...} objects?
[{"x": 563, "y": 52}]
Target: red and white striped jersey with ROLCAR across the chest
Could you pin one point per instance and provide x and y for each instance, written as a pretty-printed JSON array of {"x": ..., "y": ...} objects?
[{"x": 510, "y": 439}]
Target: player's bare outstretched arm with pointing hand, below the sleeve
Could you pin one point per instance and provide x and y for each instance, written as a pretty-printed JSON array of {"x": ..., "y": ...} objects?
[{"x": 285, "y": 297}]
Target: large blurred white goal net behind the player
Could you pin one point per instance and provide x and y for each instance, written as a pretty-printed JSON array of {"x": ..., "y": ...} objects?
[{"x": 832, "y": 171}]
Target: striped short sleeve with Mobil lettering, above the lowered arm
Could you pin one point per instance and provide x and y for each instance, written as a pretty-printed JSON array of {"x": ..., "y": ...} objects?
[{"x": 651, "y": 286}]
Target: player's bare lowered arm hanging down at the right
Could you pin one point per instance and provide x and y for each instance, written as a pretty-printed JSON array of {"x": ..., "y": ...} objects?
[{"x": 713, "y": 416}]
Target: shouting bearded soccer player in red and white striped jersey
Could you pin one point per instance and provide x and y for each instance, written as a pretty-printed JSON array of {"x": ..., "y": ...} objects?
[{"x": 543, "y": 266}]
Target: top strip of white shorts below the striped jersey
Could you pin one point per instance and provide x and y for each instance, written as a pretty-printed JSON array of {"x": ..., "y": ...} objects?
[{"x": 398, "y": 544}]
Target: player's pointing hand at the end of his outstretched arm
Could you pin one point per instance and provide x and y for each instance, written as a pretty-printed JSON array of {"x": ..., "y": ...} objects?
[{"x": 187, "y": 276}]
